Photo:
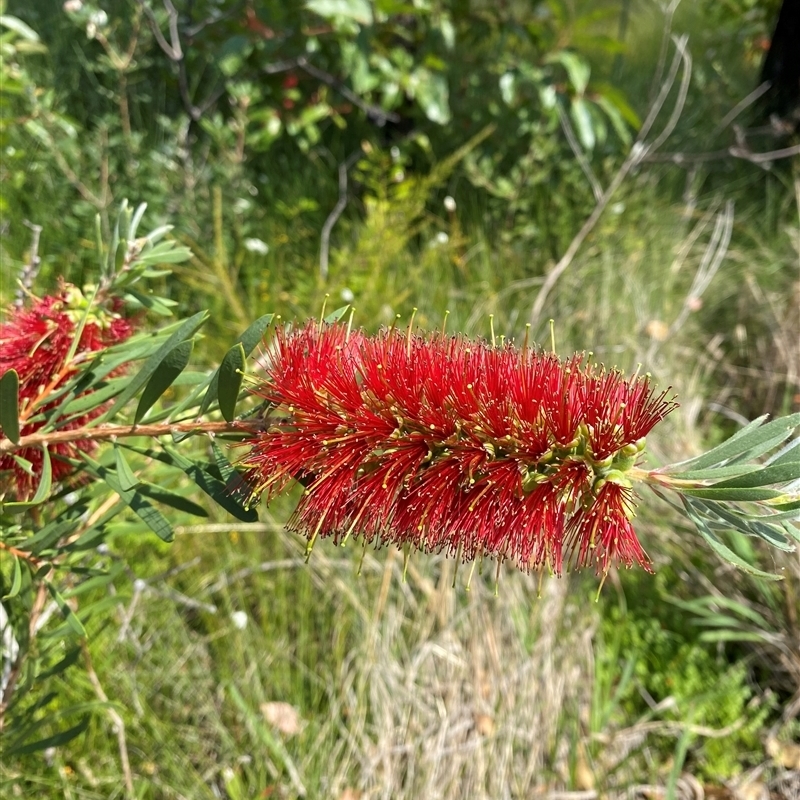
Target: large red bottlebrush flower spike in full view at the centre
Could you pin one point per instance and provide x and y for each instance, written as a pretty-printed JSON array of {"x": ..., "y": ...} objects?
[{"x": 446, "y": 444}]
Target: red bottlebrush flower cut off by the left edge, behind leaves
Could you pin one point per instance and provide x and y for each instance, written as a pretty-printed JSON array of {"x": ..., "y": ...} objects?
[{"x": 36, "y": 341}]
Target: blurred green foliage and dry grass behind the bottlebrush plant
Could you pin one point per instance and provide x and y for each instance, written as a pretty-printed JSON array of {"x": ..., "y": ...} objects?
[{"x": 439, "y": 154}]
